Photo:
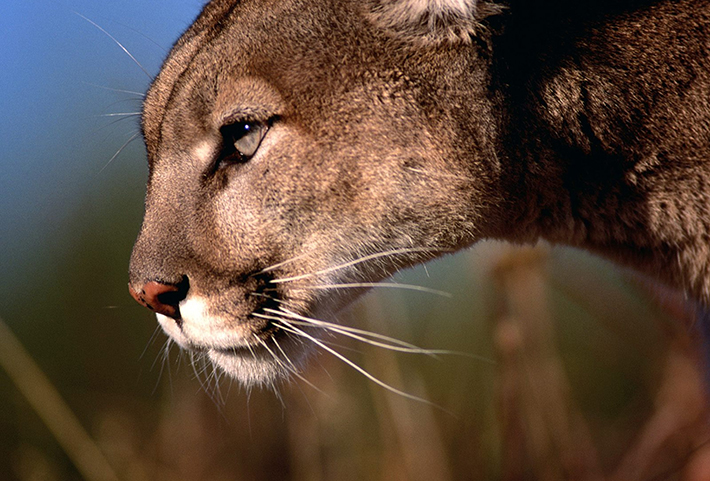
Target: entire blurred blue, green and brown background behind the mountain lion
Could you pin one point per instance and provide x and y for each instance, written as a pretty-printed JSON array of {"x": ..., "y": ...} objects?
[{"x": 575, "y": 369}]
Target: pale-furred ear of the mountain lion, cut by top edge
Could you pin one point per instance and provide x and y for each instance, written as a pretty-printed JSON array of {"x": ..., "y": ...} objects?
[{"x": 432, "y": 20}]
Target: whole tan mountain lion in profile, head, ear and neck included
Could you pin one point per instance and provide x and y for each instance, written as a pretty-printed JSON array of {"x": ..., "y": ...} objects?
[{"x": 301, "y": 150}]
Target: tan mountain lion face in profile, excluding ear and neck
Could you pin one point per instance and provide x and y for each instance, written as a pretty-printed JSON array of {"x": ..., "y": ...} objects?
[{"x": 282, "y": 148}]
